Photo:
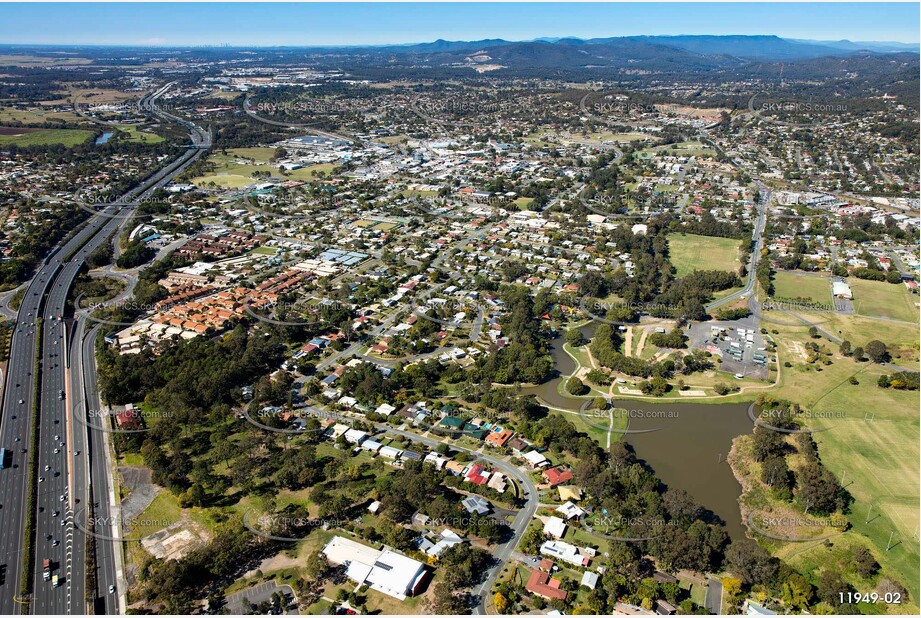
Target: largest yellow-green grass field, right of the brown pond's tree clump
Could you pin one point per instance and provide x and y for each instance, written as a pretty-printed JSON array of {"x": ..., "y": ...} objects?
[{"x": 869, "y": 439}]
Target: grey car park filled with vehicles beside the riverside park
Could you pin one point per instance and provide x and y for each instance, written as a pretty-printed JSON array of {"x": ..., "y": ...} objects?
[{"x": 738, "y": 344}]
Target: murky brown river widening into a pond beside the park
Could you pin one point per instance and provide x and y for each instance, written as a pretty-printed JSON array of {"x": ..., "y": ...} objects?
[{"x": 686, "y": 444}]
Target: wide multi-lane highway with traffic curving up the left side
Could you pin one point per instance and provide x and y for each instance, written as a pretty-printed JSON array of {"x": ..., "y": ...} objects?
[{"x": 61, "y": 486}]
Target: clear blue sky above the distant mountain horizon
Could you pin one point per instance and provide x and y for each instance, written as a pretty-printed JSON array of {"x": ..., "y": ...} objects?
[{"x": 306, "y": 24}]
